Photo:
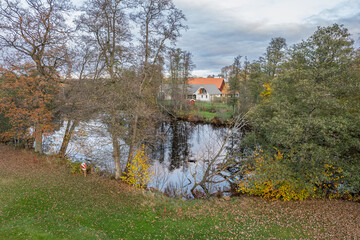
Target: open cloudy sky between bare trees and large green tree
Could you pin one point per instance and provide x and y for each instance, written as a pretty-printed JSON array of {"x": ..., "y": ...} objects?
[{"x": 219, "y": 30}]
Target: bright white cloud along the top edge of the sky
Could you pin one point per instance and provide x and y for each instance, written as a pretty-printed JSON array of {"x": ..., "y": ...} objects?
[{"x": 269, "y": 11}]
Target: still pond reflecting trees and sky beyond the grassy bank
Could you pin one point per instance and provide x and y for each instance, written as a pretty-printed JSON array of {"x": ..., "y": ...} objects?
[{"x": 180, "y": 154}]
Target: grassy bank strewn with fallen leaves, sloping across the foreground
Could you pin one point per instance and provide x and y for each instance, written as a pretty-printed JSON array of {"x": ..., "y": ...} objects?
[{"x": 43, "y": 201}]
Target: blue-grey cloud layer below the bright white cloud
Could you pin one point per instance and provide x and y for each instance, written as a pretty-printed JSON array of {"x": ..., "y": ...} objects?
[{"x": 215, "y": 39}]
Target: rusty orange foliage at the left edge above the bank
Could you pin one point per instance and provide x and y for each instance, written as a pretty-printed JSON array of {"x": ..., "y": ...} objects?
[{"x": 26, "y": 99}]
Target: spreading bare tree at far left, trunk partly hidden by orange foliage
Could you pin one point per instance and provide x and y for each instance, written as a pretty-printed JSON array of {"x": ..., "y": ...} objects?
[{"x": 36, "y": 30}]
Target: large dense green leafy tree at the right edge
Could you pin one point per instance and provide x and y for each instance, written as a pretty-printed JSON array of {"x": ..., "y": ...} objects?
[{"x": 311, "y": 114}]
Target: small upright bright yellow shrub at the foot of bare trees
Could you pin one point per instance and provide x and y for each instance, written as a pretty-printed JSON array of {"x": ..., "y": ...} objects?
[{"x": 139, "y": 174}]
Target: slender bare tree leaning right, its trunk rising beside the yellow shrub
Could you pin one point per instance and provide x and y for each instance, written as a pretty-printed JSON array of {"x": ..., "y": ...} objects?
[{"x": 160, "y": 22}]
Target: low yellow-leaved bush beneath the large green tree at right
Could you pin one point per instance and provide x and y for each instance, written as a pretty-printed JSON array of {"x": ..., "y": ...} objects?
[{"x": 274, "y": 178}]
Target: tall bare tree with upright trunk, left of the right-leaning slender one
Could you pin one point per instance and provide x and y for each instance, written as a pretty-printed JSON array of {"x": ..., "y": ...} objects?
[{"x": 105, "y": 26}]
